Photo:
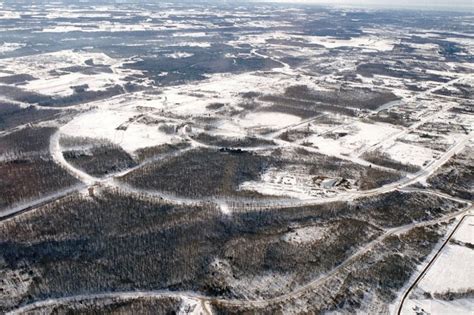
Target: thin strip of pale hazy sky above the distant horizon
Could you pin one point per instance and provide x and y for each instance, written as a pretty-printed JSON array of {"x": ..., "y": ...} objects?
[{"x": 429, "y": 4}]
